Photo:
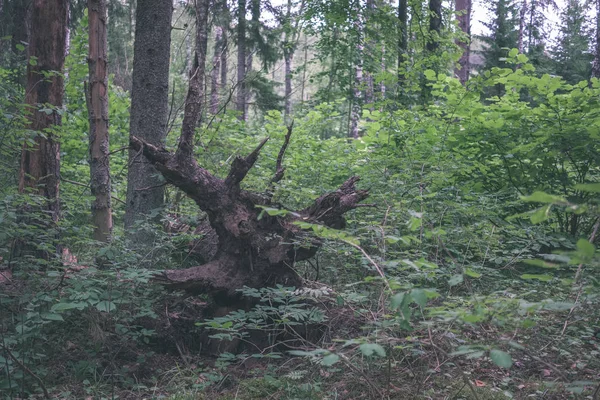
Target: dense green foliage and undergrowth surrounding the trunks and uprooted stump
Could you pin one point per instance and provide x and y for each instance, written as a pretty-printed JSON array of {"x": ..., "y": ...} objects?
[{"x": 472, "y": 273}]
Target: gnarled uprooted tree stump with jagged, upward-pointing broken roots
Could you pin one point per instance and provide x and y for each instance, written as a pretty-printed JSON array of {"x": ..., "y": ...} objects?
[{"x": 252, "y": 249}]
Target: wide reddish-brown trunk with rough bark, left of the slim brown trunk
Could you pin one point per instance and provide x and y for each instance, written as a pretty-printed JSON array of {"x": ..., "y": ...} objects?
[{"x": 40, "y": 163}]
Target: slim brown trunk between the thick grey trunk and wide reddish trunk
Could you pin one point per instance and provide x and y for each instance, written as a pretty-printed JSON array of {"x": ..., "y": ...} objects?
[{"x": 97, "y": 104}]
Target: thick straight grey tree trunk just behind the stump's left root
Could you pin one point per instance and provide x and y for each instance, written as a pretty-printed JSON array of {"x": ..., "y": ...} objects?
[{"x": 149, "y": 107}]
